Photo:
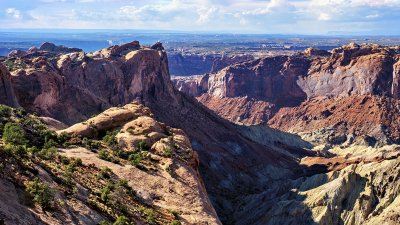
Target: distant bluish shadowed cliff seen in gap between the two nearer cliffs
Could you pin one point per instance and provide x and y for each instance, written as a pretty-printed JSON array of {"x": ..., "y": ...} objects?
[{"x": 182, "y": 64}]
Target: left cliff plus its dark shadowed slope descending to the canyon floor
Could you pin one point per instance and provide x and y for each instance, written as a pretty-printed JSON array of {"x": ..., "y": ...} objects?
[{"x": 72, "y": 87}]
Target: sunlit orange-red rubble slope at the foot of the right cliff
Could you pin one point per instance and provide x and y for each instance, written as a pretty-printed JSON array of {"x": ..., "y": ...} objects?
[{"x": 369, "y": 120}]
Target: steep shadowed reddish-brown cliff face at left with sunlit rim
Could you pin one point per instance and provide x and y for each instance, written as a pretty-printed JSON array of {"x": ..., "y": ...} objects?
[{"x": 71, "y": 87}]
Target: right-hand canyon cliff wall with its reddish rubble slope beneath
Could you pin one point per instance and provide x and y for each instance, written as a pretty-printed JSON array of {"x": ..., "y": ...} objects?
[{"x": 276, "y": 83}]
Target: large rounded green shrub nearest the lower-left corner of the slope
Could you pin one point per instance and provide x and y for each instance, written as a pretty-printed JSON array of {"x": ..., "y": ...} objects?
[{"x": 41, "y": 193}]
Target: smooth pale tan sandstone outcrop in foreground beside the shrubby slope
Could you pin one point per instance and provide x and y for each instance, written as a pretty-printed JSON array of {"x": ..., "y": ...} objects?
[{"x": 174, "y": 182}]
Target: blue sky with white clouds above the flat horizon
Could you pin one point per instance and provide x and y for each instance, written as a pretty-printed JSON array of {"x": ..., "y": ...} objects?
[{"x": 378, "y": 17}]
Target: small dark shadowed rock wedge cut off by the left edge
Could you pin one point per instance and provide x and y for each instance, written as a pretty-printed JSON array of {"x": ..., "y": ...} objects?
[{"x": 7, "y": 96}]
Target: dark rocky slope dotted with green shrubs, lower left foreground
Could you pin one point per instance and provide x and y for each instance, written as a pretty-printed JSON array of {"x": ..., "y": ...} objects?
[{"x": 38, "y": 153}]
